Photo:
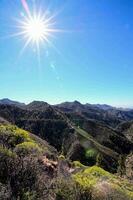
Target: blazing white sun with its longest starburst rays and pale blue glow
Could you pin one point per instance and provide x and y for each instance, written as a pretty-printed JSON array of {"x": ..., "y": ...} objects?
[{"x": 36, "y": 27}]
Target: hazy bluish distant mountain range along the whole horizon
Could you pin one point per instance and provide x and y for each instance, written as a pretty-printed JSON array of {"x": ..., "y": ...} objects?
[{"x": 105, "y": 114}]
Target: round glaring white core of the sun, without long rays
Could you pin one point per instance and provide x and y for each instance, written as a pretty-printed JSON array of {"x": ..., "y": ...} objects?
[{"x": 36, "y": 28}]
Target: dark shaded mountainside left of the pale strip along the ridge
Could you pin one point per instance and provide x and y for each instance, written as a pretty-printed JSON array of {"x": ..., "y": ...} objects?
[{"x": 47, "y": 123}]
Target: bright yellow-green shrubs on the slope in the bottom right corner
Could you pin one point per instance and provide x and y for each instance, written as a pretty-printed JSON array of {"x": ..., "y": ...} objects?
[{"x": 95, "y": 179}]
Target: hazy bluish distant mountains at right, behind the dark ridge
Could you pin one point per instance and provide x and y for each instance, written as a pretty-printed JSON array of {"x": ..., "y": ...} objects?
[{"x": 107, "y": 115}]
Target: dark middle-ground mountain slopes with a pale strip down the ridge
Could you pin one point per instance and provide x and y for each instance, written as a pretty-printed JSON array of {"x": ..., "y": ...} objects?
[{"x": 71, "y": 132}]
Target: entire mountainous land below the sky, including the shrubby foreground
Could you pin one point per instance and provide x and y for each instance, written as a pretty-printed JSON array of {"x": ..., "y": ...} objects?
[{"x": 65, "y": 151}]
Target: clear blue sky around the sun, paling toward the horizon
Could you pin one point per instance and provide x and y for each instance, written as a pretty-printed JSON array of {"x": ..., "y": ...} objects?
[{"x": 94, "y": 58}]
